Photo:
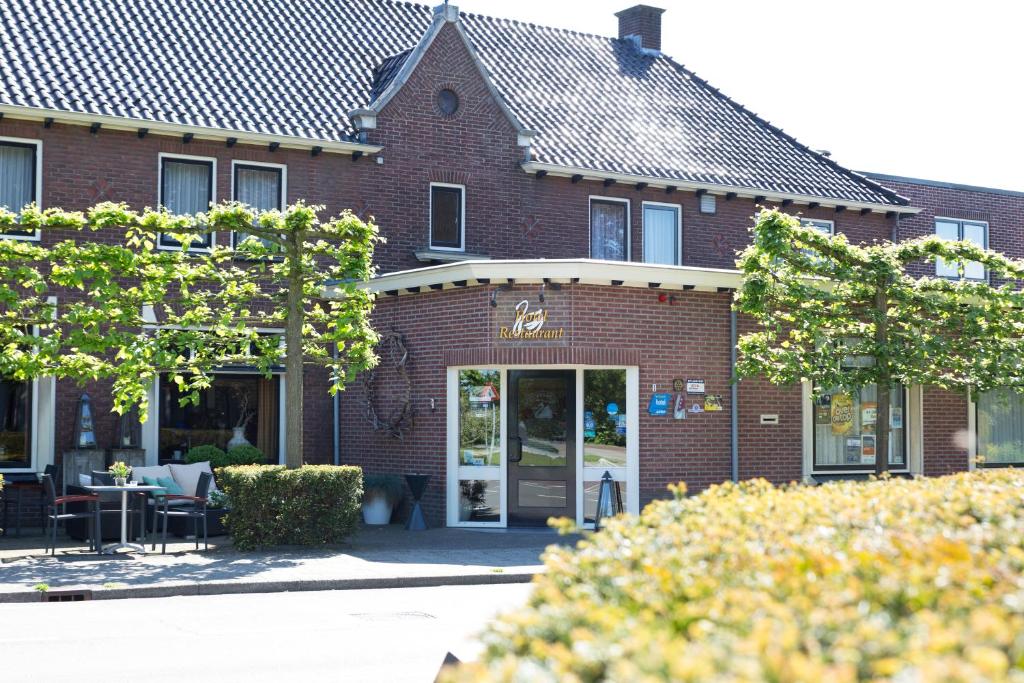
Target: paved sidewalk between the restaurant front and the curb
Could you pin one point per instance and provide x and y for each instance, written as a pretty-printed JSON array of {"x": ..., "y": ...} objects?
[{"x": 376, "y": 558}]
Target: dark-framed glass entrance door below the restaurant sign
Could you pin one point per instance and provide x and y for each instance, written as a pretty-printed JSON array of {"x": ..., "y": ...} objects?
[{"x": 541, "y": 447}]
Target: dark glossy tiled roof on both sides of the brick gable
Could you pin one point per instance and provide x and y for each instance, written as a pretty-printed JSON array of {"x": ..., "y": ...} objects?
[{"x": 296, "y": 68}]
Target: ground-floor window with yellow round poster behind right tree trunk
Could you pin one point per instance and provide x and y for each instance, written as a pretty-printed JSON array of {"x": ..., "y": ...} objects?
[{"x": 844, "y": 430}]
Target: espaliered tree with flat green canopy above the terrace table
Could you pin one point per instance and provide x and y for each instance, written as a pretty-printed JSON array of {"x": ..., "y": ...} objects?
[{"x": 129, "y": 312}]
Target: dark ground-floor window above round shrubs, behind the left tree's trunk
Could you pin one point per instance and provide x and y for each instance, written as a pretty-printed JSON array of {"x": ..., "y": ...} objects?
[{"x": 246, "y": 403}]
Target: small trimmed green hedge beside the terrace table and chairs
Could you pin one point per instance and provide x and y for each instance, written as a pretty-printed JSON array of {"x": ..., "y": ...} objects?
[{"x": 310, "y": 506}]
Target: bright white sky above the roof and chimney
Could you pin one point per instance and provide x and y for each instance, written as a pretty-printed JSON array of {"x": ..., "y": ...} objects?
[{"x": 907, "y": 88}]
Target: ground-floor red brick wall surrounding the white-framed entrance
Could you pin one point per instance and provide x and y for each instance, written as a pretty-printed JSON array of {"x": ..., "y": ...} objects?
[{"x": 686, "y": 340}]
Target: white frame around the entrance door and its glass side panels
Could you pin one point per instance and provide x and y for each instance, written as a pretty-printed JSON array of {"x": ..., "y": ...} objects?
[{"x": 455, "y": 472}]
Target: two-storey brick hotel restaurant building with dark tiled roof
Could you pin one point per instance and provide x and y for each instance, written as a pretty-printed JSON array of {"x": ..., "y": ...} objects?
[{"x": 562, "y": 212}]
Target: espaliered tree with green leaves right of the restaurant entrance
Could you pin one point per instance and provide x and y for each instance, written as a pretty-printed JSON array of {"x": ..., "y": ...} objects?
[{"x": 844, "y": 317}]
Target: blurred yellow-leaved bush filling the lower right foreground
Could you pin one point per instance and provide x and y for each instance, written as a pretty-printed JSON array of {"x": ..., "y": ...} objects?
[{"x": 890, "y": 580}]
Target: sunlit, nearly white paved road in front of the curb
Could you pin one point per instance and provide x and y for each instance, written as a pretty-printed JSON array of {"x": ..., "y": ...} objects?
[{"x": 374, "y": 635}]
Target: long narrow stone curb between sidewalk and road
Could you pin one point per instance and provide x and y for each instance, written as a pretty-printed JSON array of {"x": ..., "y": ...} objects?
[{"x": 229, "y": 587}]
